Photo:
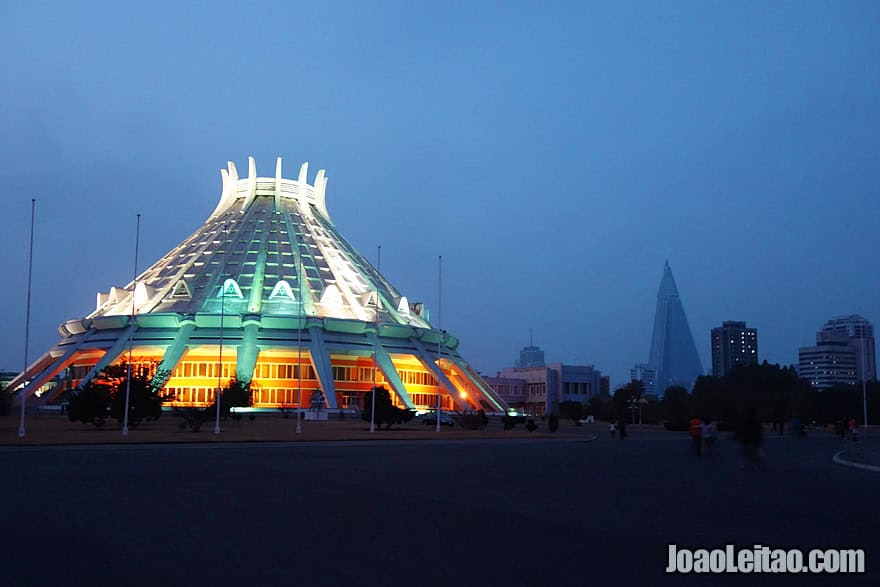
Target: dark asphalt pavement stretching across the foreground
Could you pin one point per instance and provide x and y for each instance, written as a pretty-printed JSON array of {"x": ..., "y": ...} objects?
[{"x": 421, "y": 513}]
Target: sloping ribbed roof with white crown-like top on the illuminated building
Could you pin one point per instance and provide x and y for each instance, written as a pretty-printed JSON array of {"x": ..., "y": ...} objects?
[{"x": 268, "y": 248}]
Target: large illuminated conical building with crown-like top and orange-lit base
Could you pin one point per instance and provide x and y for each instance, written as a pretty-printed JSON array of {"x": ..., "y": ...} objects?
[{"x": 269, "y": 292}]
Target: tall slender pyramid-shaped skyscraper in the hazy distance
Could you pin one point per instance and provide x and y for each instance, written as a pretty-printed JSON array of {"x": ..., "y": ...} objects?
[{"x": 674, "y": 356}]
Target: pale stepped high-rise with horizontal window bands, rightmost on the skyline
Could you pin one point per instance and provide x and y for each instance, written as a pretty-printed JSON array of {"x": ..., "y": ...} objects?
[{"x": 843, "y": 355}]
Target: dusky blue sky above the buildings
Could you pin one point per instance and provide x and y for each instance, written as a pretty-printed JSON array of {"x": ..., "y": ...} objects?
[{"x": 554, "y": 153}]
